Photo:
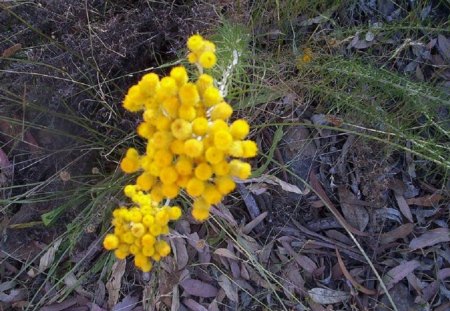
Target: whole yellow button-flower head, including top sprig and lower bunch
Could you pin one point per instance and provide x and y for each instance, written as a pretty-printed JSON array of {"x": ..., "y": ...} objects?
[{"x": 191, "y": 147}]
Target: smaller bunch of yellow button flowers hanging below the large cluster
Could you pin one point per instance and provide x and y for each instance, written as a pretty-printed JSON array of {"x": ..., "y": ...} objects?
[{"x": 137, "y": 231}]
